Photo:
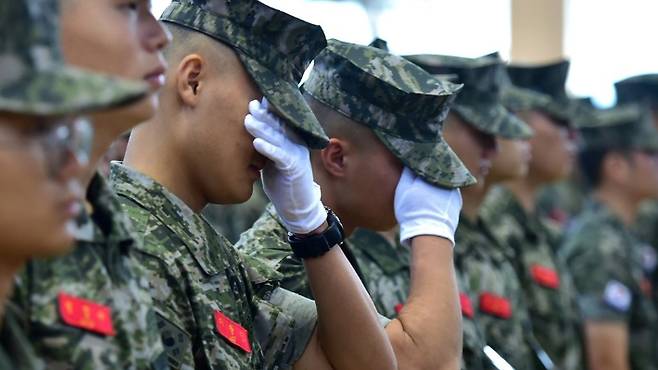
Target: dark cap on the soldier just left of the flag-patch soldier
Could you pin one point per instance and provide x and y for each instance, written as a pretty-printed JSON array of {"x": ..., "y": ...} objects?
[{"x": 548, "y": 79}]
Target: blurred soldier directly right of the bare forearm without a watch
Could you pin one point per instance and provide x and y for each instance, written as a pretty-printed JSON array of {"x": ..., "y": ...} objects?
[{"x": 477, "y": 118}]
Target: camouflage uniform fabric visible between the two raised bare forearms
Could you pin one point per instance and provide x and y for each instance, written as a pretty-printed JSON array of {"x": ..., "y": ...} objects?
[{"x": 385, "y": 266}]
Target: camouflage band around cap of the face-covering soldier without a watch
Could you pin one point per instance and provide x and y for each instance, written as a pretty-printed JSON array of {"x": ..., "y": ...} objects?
[{"x": 325, "y": 90}]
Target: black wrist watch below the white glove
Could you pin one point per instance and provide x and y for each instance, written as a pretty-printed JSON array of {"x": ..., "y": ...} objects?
[{"x": 316, "y": 245}]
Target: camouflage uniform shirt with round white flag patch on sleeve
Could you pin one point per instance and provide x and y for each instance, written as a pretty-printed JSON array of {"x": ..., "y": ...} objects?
[{"x": 606, "y": 262}]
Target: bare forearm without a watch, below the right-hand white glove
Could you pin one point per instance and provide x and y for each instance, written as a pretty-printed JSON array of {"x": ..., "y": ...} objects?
[{"x": 427, "y": 332}]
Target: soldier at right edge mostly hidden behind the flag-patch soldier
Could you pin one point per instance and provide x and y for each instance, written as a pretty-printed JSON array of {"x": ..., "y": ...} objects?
[{"x": 643, "y": 89}]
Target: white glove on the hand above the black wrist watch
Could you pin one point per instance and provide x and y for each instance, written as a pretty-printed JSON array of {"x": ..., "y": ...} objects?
[{"x": 288, "y": 179}]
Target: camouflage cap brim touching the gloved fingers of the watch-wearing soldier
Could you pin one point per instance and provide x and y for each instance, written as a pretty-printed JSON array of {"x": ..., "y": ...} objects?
[{"x": 288, "y": 102}]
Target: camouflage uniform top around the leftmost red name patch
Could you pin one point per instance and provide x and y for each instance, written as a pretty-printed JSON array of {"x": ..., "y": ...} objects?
[{"x": 102, "y": 269}]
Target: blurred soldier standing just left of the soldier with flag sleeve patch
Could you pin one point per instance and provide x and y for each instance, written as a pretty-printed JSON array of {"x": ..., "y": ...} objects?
[{"x": 509, "y": 213}]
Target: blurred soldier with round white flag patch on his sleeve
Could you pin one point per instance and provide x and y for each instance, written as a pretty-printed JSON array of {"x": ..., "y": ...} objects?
[{"x": 619, "y": 159}]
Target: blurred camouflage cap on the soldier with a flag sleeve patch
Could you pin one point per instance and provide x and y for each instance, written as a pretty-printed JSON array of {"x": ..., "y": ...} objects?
[{"x": 627, "y": 127}]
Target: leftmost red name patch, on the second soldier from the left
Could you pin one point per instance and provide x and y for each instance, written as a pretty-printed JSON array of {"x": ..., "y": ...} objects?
[{"x": 84, "y": 314}]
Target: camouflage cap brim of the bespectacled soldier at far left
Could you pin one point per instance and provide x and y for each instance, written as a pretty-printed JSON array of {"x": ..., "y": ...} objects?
[{"x": 65, "y": 90}]
